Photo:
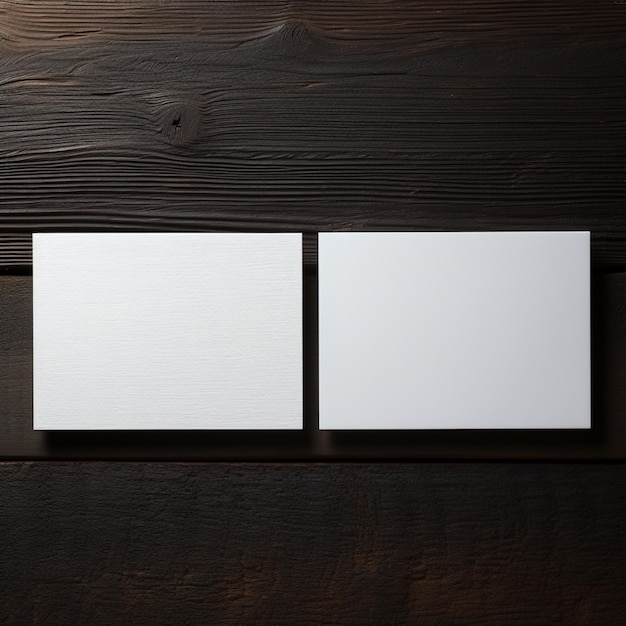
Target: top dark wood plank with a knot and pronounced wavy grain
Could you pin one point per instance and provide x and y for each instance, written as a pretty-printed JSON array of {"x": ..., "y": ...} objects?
[{"x": 307, "y": 116}]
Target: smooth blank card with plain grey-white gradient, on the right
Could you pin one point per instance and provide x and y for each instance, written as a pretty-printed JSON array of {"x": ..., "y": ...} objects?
[{"x": 454, "y": 330}]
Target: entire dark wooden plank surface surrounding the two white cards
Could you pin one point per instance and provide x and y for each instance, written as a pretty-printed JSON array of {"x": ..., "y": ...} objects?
[{"x": 191, "y": 115}]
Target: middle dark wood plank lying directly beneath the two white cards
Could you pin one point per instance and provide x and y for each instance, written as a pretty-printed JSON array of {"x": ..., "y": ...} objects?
[{"x": 606, "y": 440}]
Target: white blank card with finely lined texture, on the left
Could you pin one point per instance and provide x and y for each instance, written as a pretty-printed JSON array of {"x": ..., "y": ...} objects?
[{"x": 167, "y": 331}]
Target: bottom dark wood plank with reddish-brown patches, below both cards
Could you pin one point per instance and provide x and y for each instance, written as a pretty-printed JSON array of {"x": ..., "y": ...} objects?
[{"x": 319, "y": 544}]
